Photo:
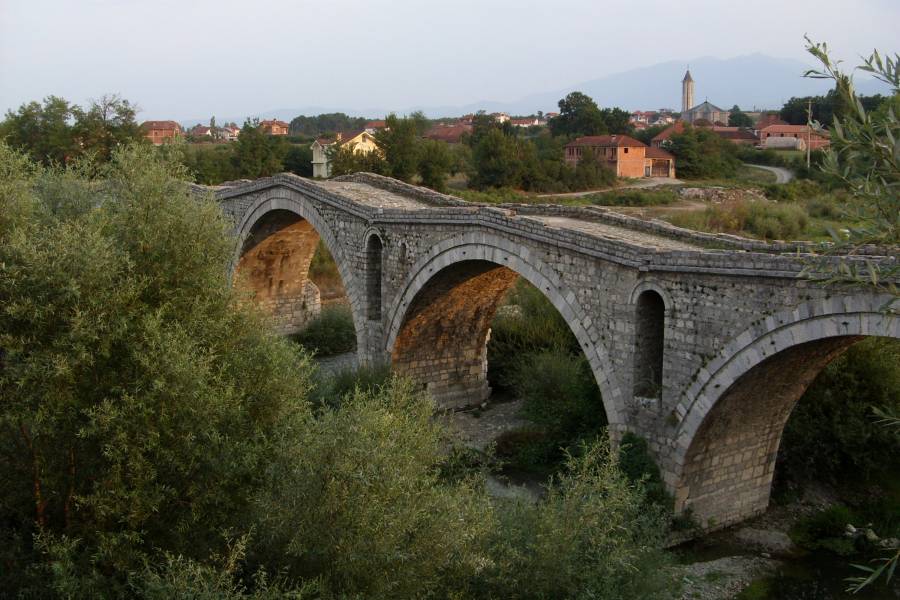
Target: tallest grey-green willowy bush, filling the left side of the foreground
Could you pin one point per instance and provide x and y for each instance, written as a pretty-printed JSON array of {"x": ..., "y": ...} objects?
[{"x": 134, "y": 383}]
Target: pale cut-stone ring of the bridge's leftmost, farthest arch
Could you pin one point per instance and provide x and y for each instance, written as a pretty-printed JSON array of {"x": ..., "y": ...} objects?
[{"x": 290, "y": 201}]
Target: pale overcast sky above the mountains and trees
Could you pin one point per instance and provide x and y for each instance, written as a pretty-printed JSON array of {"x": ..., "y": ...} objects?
[{"x": 185, "y": 58}]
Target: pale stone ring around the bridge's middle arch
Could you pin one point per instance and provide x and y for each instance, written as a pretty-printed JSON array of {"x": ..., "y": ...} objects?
[{"x": 479, "y": 249}]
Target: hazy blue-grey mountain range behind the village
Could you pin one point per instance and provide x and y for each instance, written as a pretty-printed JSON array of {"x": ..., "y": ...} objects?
[{"x": 755, "y": 81}]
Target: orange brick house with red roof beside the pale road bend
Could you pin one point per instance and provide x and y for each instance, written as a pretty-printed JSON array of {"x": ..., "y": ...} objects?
[{"x": 624, "y": 155}]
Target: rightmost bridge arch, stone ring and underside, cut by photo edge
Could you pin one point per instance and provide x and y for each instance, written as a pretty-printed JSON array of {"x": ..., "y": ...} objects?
[{"x": 733, "y": 415}]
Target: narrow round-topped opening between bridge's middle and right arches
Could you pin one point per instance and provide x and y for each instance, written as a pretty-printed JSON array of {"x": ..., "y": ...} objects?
[{"x": 650, "y": 318}]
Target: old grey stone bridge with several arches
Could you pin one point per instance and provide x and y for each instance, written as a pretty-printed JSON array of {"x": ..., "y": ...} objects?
[{"x": 700, "y": 343}]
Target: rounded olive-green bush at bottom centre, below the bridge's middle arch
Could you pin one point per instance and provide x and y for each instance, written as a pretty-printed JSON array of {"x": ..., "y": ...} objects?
[{"x": 358, "y": 502}]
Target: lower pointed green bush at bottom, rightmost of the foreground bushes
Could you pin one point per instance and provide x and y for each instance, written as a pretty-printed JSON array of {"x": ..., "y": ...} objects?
[{"x": 592, "y": 537}]
